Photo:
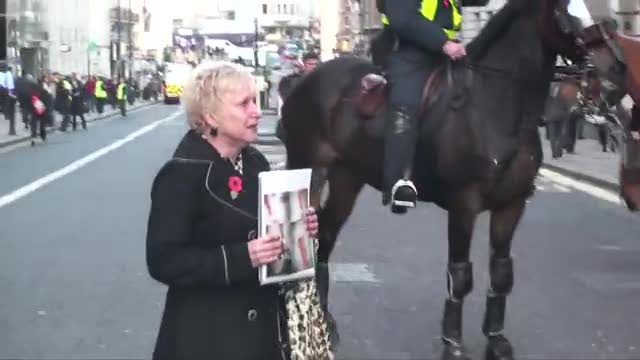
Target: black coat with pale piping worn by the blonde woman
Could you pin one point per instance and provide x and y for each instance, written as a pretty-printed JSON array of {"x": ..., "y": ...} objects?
[{"x": 197, "y": 245}]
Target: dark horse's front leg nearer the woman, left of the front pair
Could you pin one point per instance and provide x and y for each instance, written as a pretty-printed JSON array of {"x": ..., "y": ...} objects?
[{"x": 459, "y": 280}]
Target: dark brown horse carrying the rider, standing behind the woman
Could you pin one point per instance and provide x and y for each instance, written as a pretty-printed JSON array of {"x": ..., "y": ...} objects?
[{"x": 479, "y": 148}]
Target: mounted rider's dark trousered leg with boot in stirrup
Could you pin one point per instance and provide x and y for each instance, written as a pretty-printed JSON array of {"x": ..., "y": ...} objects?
[{"x": 408, "y": 73}]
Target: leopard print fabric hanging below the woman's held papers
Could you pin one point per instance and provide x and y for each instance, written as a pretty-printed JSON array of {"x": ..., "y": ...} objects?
[{"x": 308, "y": 330}]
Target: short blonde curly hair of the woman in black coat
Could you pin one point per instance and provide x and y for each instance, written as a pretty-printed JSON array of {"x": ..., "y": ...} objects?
[{"x": 207, "y": 86}]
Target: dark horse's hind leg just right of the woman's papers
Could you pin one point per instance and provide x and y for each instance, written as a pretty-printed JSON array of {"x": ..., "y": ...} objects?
[{"x": 344, "y": 188}]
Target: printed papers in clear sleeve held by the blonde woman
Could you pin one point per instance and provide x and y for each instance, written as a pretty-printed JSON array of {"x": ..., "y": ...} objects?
[{"x": 284, "y": 201}]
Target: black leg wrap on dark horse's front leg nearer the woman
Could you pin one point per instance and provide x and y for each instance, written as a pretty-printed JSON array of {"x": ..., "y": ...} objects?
[{"x": 459, "y": 284}]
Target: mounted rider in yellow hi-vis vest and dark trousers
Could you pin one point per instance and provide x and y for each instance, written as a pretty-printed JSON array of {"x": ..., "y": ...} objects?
[{"x": 425, "y": 34}]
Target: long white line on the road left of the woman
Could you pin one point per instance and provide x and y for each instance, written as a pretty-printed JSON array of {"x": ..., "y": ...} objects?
[{"x": 37, "y": 184}]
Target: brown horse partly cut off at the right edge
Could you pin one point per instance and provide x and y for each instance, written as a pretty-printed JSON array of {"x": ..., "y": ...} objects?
[{"x": 617, "y": 59}]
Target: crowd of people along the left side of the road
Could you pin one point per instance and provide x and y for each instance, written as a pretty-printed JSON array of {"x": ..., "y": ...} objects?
[{"x": 71, "y": 96}]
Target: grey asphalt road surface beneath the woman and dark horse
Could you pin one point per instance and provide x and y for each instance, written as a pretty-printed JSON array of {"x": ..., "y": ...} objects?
[{"x": 74, "y": 285}]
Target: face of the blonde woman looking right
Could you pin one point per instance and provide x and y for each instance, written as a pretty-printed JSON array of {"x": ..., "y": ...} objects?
[{"x": 237, "y": 119}]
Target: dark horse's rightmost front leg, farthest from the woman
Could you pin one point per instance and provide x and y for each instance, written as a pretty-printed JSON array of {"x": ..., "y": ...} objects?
[{"x": 503, "y": 225}]
